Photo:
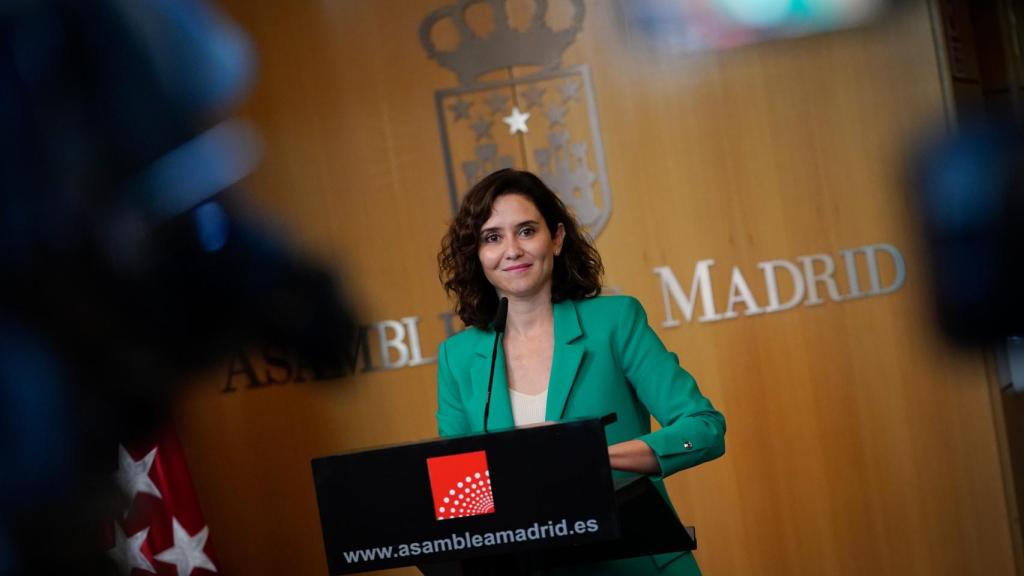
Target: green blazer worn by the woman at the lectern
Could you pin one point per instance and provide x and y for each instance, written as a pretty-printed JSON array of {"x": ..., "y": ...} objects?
[{"x": 607, "y": 359}]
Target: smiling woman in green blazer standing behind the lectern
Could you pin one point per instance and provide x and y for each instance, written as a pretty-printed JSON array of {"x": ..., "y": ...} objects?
[{"x": 568, "y": 353}]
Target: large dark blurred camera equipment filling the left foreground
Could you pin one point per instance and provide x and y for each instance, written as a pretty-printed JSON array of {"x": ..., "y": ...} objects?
[{"x": 125, "y": 264}]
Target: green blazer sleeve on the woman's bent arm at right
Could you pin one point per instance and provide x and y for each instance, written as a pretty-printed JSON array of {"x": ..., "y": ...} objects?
[{"x": 693, "y": 431}]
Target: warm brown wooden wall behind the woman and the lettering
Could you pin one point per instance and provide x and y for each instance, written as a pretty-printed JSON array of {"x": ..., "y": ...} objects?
[{"x": 859, "y": 441}]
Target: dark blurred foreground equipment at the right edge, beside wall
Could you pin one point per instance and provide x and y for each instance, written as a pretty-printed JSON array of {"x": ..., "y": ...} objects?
[{"x": 971, "y": 189}]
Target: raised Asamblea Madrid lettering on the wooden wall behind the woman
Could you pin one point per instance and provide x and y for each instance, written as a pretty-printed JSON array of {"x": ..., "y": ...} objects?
[{"x": 808, "y": 281}]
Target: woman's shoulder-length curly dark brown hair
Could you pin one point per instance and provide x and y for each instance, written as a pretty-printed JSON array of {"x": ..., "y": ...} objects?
[{"x": 578, "y": 270}]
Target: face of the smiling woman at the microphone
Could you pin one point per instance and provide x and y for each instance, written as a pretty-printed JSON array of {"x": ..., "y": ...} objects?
[{"x": 517, "y": 250}]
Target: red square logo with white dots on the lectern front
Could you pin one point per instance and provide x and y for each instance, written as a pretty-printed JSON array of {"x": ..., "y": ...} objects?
[{"x": 461, "y": 485}]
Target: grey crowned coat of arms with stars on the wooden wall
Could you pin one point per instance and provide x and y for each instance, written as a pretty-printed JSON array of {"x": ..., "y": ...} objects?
[{"x": 545, "y": 122}]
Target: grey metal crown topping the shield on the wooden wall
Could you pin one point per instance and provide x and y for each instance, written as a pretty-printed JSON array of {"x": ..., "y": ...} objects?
[{"x": 505, "y": 47}]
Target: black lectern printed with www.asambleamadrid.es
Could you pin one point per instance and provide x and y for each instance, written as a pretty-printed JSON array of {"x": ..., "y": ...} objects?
[{"x": 507, "y": 502}]
